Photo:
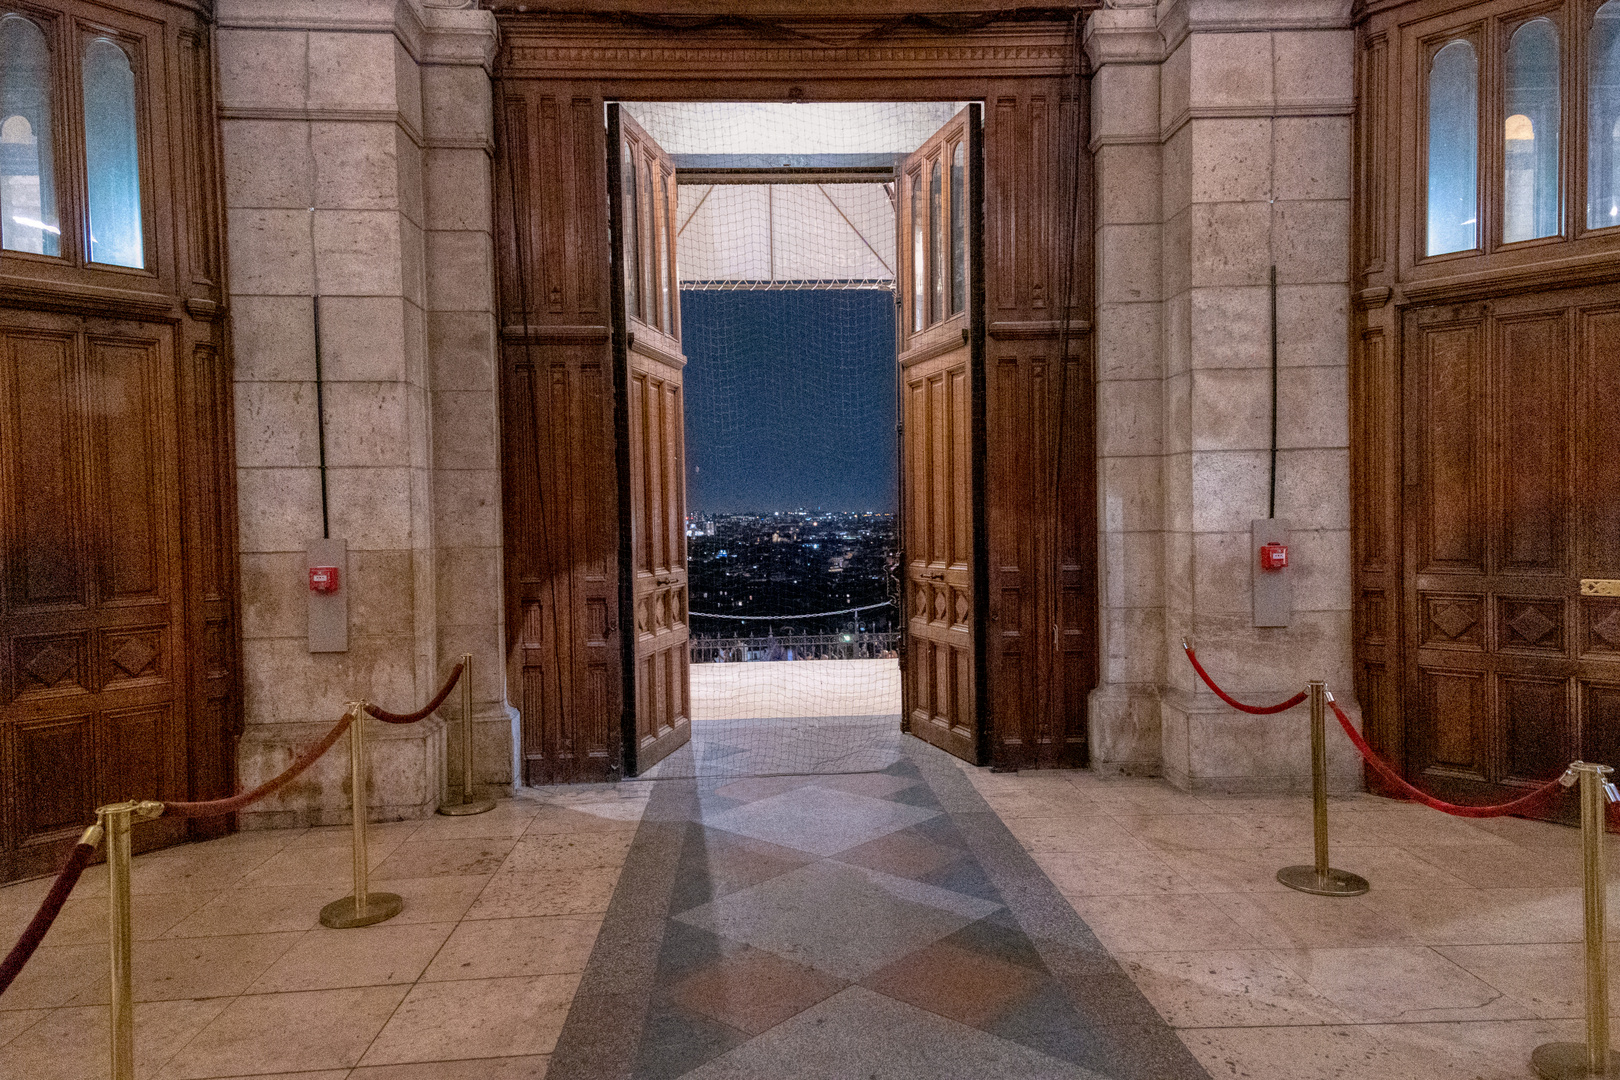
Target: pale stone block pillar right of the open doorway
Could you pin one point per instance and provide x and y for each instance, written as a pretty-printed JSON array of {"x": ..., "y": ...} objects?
[{"x": 1253, "y": 116}]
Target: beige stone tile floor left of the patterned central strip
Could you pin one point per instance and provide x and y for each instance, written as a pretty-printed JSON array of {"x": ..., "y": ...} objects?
[{"x": 236, "y": 977}]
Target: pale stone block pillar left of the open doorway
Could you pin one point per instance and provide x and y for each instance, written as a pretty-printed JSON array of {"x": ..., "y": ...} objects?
[{"x": 330, "y": 166}]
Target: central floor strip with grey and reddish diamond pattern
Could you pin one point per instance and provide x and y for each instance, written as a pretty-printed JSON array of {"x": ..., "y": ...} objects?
[{"x": 869, "y": 925}]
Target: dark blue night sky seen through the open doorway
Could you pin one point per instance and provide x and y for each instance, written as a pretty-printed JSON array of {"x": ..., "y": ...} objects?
[{"x": 790, "y": 401}]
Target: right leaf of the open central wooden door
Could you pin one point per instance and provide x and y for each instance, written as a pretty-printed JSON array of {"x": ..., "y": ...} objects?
[{"x": 942, "y": 355}]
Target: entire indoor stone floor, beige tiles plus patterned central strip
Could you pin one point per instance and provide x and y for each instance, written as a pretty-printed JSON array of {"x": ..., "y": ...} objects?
[{"x": 833, "y": 927}]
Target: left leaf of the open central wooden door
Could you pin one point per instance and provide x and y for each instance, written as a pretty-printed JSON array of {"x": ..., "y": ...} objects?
[{"x": 652, "y": 446}]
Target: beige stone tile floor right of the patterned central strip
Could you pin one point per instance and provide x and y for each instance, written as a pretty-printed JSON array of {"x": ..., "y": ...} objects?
[{"x": 1454, "y": 967}]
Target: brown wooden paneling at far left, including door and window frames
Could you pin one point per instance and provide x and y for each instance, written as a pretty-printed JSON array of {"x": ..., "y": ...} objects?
[{"x": 132, "y": 521}]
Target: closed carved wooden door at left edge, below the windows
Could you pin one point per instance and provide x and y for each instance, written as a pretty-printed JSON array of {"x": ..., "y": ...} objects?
[{"x": 93, "y": 704}]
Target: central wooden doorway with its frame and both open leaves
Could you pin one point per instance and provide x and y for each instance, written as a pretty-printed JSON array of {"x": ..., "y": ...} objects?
[{"x": 997, "y": 376}]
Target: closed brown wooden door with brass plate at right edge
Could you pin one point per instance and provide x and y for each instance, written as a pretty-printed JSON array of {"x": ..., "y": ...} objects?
[{"x": 1511, "y": 503}]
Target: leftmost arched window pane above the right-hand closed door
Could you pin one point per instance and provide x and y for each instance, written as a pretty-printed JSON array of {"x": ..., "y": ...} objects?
[{"x": 1454, "y": 150}]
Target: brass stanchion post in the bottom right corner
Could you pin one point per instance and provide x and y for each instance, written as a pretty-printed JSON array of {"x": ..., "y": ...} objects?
[{"x": 1593, "y": 1058}]
